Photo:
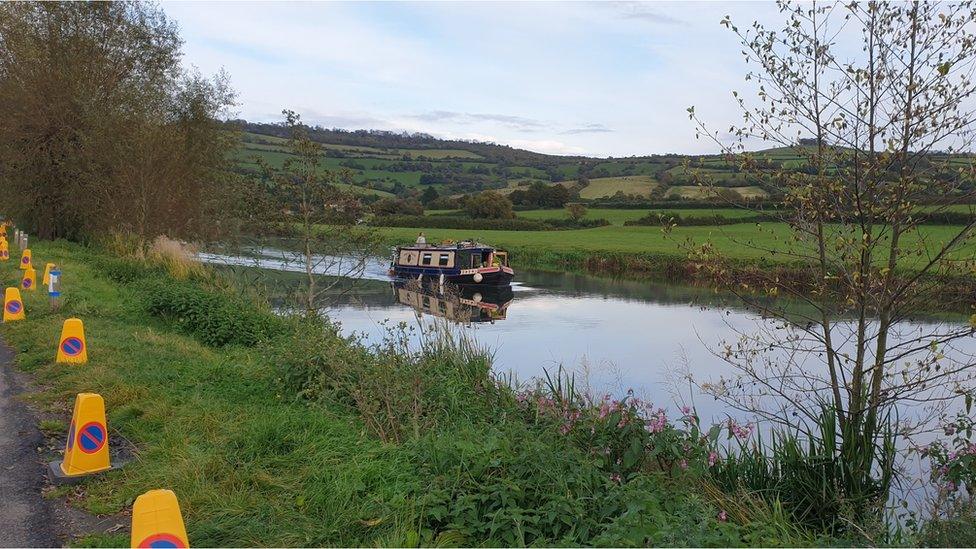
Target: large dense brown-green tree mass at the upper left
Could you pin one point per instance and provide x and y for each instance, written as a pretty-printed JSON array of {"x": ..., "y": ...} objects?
[{"x": 102, "y": 130}]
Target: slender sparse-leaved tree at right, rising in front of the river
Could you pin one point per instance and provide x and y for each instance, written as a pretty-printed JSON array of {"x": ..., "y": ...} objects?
[{"x": 864, "y": 262}]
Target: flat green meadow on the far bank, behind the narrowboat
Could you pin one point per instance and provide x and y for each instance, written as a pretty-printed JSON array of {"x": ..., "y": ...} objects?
[{"x": 739, "y": 255}]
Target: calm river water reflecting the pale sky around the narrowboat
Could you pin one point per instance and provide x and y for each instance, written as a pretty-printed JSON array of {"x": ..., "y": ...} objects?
[{"x": 615, "y": 336}]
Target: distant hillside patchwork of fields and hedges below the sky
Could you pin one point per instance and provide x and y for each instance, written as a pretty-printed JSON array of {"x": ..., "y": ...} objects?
[{"x": 379, "y": 163}]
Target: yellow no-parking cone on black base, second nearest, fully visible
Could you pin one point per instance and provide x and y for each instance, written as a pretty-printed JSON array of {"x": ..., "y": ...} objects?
[{"x": 86, "y": 451}]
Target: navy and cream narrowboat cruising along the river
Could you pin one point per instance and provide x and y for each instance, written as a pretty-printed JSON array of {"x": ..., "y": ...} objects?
[{"x": 465, "y": 262}]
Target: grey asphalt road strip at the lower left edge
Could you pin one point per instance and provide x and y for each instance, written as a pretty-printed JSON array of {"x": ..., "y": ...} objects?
[{"x": 26, "y": 518}]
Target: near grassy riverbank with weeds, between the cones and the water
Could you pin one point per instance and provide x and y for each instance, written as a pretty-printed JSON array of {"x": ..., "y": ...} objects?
[{"x": 265, "y": 428}]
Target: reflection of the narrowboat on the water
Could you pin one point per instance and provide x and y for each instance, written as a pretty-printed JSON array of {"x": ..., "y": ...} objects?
[{"x": 458, "y": 303}]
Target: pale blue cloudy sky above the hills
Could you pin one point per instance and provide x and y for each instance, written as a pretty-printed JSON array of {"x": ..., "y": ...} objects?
[{"x": 593, "y": 78}]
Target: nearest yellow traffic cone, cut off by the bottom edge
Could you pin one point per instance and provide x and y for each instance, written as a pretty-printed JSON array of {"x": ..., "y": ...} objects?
[{"x": 157, "y": 521}]
